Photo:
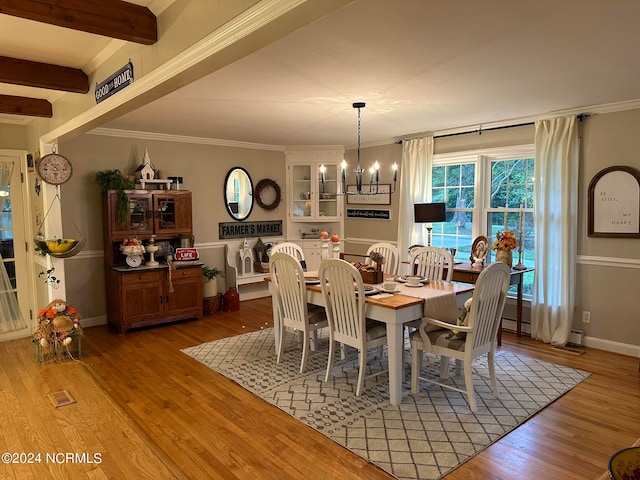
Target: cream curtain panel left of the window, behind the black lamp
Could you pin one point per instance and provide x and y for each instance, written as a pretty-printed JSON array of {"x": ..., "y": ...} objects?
[{"x": 415, "y": 187}]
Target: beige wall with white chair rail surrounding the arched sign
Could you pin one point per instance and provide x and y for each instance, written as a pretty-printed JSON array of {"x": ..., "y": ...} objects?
[{"x": 608, "y": 270}]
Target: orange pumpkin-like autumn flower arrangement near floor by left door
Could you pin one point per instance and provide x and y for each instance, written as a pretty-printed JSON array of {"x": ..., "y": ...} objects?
[{"x": 57, "y": 322}]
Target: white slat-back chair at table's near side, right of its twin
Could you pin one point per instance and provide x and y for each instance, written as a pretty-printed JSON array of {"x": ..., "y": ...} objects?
[{"x": 343, "y": 293}]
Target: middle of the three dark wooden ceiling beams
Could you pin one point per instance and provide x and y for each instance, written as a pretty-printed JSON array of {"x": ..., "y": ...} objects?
[{"x": 42, "y": 75}]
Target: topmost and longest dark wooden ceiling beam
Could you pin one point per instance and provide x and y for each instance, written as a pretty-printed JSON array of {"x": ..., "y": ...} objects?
[{"x": 111, "y": 18}]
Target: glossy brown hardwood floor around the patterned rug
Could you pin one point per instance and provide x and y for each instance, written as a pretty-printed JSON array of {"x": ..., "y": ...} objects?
[{"x": 152, "y": 412}]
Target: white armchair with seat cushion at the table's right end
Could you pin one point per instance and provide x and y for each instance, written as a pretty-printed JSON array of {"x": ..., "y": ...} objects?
[{"x": 465, "y": 342}]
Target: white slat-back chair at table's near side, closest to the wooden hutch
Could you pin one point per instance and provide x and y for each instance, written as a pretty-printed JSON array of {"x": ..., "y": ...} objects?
[{"x": 291, "y": 302}]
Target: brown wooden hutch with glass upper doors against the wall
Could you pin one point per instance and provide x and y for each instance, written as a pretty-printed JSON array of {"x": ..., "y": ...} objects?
[{"x": 137, "y": 297}]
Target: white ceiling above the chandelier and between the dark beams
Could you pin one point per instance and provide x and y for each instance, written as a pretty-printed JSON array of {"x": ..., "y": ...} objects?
[{"x": 420, "y": 66}]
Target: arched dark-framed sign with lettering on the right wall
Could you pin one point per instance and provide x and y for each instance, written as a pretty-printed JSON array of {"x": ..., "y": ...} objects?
[{"x": 614, "y": 203}]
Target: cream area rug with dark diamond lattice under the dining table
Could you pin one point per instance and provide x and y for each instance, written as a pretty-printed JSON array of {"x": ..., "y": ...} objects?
[{"x": 425, "y": 437}]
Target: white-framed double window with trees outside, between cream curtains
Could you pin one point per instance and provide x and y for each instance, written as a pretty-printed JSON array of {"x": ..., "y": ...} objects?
[{"x": 485, "y": 192}]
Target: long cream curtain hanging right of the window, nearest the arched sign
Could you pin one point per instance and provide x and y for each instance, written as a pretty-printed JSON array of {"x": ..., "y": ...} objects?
[{"x": 555, "y": 218}]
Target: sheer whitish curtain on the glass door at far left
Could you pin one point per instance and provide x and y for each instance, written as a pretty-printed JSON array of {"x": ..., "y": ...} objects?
[{"x": 10, "y": 318}]
